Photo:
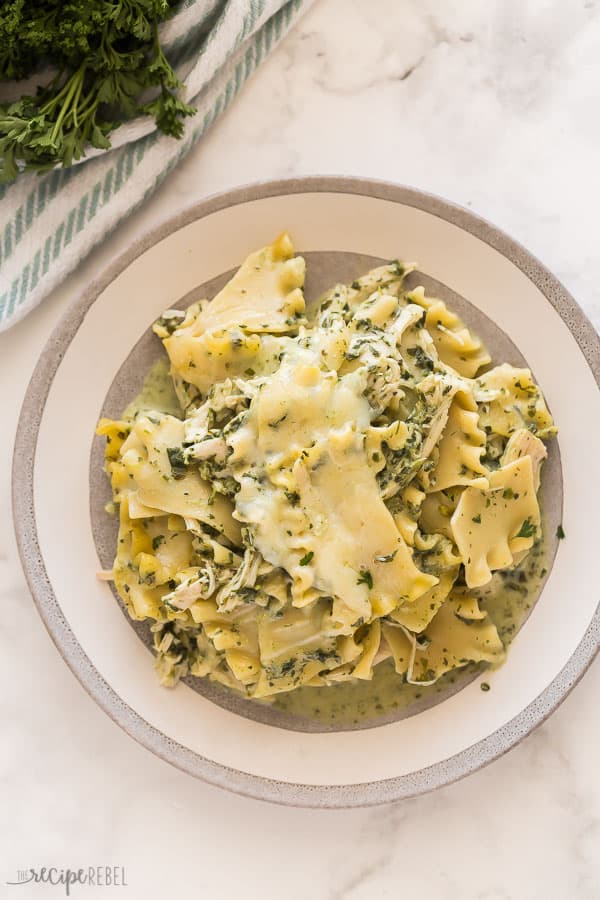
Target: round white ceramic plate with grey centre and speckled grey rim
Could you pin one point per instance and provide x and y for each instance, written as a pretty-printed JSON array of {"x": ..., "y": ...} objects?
[{"x": 94, "y": 364}]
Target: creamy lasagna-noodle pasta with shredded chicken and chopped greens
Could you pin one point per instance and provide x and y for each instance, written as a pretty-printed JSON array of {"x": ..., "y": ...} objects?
[{"x": 334, "y": 488}]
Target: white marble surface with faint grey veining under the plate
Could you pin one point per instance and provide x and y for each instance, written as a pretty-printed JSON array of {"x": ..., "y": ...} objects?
[{"x": 493, "y": 105}]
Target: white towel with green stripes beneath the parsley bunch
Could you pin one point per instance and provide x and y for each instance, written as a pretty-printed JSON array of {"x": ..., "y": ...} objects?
[{"x": 48, "y": 224}]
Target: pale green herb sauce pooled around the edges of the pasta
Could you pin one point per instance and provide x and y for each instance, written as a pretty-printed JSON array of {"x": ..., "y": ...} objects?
[{"x": 508, "y": 599}]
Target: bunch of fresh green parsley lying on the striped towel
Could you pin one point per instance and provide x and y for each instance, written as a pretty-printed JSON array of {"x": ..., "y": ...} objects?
[{"x": 106, "y": 55}]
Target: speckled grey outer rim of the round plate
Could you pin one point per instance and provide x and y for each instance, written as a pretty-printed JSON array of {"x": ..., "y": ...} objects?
[{"x": 362, "y": 794}]
